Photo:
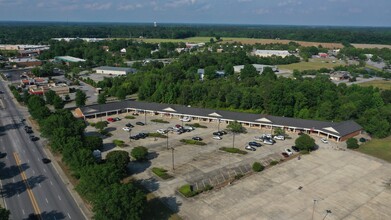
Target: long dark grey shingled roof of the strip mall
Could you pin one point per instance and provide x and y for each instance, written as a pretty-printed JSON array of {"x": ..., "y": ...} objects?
[{"x": 336, "y": 128}]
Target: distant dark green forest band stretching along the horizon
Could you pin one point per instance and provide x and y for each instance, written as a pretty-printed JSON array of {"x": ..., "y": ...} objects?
[{"x": 41, "y": 32}]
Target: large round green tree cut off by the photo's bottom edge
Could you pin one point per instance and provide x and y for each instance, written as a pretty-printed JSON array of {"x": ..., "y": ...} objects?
[{"x": 119, "y": 201}]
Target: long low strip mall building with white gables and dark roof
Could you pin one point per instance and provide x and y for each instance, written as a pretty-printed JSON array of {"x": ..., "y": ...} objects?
[{"x": 337, "y": 131}]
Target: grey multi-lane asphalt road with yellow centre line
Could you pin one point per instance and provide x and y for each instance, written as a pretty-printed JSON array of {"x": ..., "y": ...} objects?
[{"x": 28, "y": 185}]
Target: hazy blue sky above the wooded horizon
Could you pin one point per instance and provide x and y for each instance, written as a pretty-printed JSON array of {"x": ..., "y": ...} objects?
[{"x": 262, "y": 12}]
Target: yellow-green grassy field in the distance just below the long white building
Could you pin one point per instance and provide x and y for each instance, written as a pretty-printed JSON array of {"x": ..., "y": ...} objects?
[{"x": 312, "y": 64}]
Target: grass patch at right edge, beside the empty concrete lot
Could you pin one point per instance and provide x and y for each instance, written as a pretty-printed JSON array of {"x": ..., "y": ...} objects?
[{"x": 380, "y": 148}]
